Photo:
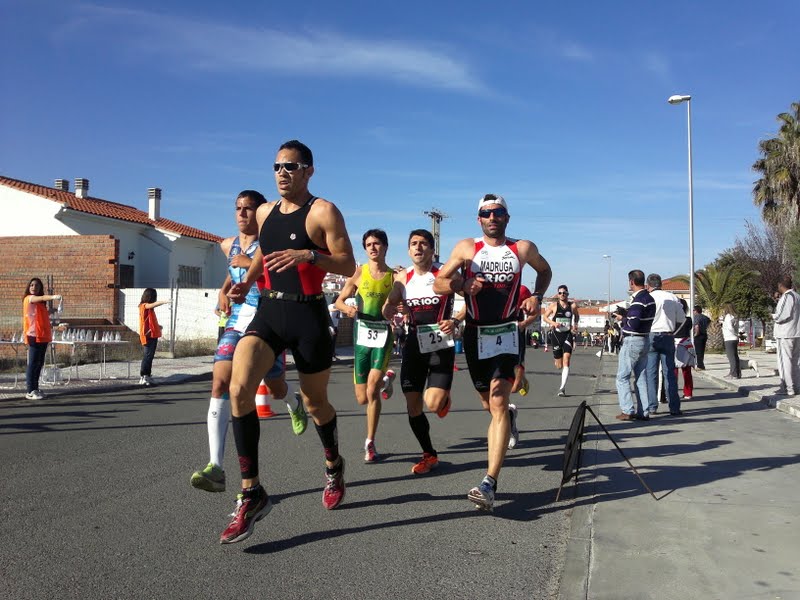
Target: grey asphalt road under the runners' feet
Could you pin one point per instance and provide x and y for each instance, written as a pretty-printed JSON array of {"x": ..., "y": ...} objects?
[{"x": 96, "y": 501}]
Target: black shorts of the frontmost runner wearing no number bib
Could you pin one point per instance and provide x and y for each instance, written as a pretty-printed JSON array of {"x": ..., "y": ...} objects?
[{"x": 301, "y": 327}]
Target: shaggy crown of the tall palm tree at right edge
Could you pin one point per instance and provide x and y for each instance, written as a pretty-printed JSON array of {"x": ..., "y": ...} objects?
[{"x": 777, "y": 192}]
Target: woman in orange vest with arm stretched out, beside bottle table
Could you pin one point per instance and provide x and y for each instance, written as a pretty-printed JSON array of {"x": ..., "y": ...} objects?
[{"x": 37, "y": 333}]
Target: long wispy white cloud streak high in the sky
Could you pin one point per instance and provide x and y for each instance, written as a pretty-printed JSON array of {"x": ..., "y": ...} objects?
[{"x": 210, "y": 46}]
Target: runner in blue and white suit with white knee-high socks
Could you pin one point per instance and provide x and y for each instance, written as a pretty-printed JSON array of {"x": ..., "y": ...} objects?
[{"x": 239, "y": 250}]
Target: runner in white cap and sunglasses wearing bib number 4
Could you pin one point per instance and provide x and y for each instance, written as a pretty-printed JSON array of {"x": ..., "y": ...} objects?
[{"x": 491, "y": 268}]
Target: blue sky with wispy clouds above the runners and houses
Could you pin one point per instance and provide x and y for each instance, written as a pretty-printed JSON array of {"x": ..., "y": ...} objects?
[{"x": 414, "y": 105}]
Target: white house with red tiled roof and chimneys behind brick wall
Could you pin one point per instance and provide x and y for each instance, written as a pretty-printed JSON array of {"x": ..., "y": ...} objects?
[{"x": 152, "y": 251}]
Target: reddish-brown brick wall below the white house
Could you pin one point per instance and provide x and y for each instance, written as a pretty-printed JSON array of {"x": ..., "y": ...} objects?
[{"x": 83, "y": 267}]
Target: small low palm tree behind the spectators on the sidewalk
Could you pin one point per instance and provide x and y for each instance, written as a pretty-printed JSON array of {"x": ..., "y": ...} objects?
[{"x": 714, "y": 288}]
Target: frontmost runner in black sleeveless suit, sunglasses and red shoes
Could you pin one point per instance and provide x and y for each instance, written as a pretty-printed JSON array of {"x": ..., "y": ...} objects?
[{"x": 301, "y": 239}]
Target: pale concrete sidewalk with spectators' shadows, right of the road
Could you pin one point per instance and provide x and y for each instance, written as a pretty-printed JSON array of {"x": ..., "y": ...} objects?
[{"x": 727, "y": 477}]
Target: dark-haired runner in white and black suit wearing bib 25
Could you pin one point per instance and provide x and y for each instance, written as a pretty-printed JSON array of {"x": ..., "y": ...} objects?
[{"x": 429, "y": 353}]
